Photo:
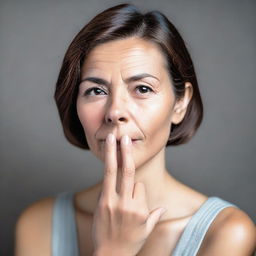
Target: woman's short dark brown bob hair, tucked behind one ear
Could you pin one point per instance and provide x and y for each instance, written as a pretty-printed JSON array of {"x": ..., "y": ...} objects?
[{"x": 119, "y": 22}]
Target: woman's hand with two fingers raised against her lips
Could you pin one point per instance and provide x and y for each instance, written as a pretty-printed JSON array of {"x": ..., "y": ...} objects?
[{"x": 122, "y": 221}]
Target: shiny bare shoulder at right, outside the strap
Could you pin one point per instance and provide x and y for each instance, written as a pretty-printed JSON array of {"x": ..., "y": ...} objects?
[{"x": 231, "y": 233}]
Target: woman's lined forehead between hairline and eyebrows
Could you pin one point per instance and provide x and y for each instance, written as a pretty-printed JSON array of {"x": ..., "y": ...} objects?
[{"x": 127, "y": 56}]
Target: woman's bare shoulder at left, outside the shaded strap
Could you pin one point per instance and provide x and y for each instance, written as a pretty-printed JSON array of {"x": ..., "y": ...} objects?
[{"x": 33, "y": 229}]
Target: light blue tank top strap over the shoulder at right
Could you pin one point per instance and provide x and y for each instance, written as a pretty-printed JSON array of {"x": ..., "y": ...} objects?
[{"x": 193, "y": 235}]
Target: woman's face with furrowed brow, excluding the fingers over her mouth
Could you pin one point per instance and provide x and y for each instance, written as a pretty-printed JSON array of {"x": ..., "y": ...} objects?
[{"x": 126, "y": 89}]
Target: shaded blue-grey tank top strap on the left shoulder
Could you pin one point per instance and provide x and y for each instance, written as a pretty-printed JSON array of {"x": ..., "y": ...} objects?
[{"x": 64, "y": 231}]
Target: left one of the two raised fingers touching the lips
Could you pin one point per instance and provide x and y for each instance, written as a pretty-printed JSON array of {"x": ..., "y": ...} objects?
[{"x": 110, "y": 169}]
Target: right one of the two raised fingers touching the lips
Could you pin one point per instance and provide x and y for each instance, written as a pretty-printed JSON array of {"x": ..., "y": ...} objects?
[{"x": 128, "y": 168}]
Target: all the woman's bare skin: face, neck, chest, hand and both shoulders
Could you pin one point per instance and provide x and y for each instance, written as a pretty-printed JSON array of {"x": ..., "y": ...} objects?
[{"x": 136, "y": 183}]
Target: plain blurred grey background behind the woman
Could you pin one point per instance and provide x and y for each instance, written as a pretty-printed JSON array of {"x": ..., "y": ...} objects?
[{"x": 37, "y": 161}]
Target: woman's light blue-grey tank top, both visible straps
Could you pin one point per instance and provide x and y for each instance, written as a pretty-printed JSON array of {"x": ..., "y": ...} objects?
[{"x": 64, "y": 231}]
